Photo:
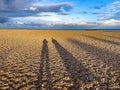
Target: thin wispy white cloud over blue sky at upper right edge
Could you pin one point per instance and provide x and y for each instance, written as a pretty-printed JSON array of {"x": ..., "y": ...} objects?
[{"x": 111, "y": 11}]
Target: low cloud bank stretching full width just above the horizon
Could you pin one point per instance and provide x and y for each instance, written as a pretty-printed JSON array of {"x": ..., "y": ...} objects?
[{"x": 107, "y": 24}]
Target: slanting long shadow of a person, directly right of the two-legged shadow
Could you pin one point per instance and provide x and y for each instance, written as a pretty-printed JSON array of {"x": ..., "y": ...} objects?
[{"x": 77, "y": 71}]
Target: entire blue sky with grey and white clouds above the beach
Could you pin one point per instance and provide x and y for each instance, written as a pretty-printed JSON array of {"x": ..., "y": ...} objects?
[{"x": 60, "y": 14}]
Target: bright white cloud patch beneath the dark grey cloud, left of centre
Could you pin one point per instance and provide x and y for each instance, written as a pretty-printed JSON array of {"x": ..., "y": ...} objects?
[{"x": 41, "y": 18}]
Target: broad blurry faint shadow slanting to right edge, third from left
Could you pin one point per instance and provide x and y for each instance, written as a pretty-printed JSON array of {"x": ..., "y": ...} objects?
[{"x": 110, "y": 58}]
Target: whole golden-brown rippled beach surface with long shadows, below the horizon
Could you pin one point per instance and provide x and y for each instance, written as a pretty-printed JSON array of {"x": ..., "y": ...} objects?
[{"x": 59, "y": 60}]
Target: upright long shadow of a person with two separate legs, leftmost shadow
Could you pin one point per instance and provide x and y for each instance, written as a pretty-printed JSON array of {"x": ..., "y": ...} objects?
[{"x": 44, "y": 62}]
